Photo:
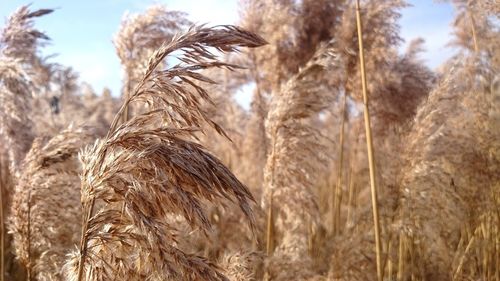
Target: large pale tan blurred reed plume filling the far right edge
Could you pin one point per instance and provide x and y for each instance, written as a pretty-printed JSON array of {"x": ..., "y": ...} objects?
[{"x": 448, "y": 146}]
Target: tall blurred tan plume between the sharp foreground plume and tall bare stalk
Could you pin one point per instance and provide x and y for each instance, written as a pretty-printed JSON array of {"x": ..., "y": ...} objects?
[{"x": 293, "y": 163}]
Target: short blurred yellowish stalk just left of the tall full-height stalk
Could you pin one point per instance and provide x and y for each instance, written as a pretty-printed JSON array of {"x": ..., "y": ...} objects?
[{"x": 338, "y": 188}]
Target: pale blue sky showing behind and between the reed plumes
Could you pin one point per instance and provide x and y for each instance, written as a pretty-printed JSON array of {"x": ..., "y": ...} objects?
[{"x": 81, "y": 31}]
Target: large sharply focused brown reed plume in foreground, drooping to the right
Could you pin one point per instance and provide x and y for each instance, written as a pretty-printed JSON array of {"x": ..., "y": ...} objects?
[{"x": 149, "y": 165}]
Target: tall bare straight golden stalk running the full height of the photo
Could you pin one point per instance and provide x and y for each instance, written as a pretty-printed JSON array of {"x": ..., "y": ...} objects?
[{"x": 369, "y": 144}]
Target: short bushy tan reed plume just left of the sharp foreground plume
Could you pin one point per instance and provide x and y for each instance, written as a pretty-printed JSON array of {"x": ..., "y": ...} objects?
[{"x": 46, "y": 205}]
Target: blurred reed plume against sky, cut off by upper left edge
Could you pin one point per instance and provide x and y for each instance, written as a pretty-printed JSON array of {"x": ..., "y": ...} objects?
[{"x": 19, "y": 42}]
